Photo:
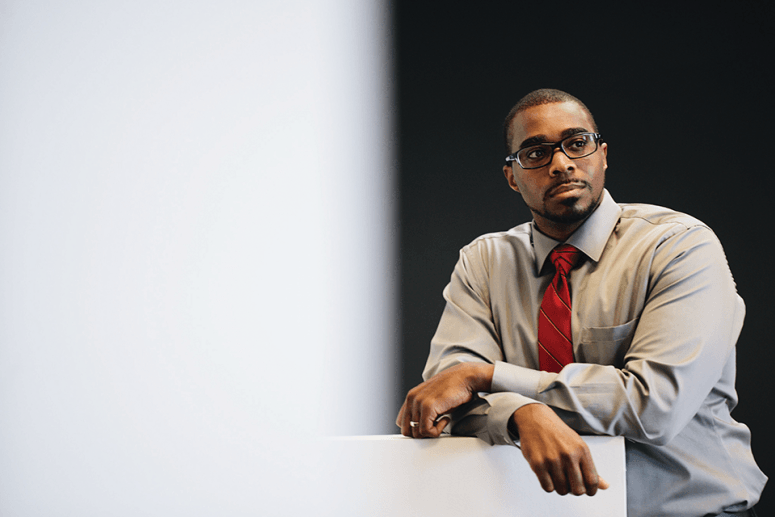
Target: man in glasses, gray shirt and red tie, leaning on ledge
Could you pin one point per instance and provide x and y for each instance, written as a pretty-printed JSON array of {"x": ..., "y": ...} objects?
[{"x": 629, "y": 331}]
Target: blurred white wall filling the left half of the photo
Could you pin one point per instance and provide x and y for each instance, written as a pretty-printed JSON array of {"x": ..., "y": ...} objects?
[{"x": 196, "y": 251}]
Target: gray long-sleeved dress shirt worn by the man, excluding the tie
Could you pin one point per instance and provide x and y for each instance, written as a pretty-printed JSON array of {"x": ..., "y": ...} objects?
[{"x": 656, "y": 316}]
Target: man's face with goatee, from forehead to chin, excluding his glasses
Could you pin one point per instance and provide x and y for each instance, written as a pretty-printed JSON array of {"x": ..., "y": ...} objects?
[{"x": 563, "y": 193}]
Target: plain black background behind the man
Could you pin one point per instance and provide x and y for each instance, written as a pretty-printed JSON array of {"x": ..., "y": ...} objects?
[{"x": 682, "y": 96}]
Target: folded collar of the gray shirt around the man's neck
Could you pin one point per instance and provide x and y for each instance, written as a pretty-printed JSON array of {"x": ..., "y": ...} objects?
[{"x": 591, "y": 237}]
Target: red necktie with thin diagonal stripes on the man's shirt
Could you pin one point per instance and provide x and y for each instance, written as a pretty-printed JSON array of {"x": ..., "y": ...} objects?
[{"x": 555, "y": 344}]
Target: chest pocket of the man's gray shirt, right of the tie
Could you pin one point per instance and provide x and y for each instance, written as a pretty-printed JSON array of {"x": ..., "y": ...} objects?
[{"x": 605, "y": 345}]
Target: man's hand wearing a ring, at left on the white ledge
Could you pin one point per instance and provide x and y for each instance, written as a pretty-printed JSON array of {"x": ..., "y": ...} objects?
[{"x": 440, "y": 394}]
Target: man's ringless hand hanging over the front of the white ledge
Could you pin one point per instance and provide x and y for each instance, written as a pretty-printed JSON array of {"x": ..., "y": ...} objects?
[{"x": 555, "y": 452}]
